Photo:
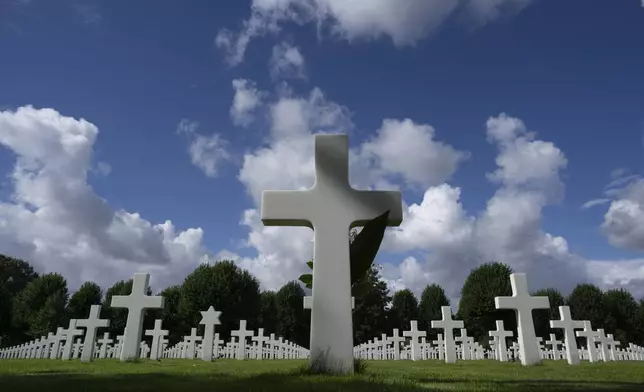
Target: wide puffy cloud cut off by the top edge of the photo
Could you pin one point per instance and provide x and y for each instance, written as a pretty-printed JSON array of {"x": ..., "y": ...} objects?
[{"x": 405, "y": 23}]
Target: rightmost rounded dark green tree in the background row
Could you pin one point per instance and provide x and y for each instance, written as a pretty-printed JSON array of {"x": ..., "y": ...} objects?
[{"x": 621, "y": 315}]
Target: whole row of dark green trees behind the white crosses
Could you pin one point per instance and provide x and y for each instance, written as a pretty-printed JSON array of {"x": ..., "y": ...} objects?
[{"x": 32, "y": 304}]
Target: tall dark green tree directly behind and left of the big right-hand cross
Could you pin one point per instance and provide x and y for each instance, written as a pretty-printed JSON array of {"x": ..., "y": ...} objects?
[{"x": 476, "y": 307}]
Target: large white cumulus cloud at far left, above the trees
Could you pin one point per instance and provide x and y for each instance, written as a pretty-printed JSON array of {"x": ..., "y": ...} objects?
[{"x": 55, "y": 220}]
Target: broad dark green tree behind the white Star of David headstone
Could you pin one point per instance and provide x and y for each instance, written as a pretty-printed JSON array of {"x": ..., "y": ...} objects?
[{"x": 226, "y": 287}]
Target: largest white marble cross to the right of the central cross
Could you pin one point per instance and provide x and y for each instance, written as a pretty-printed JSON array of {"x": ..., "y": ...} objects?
[{"x": 523, "y": 304}]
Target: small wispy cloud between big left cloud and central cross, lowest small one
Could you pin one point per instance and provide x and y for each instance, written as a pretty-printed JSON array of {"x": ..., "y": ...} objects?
[{"x": 206, "y": 152}]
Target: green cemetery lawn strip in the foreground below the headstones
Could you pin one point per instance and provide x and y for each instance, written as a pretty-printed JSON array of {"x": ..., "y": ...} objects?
[{"x": 286, "y": 375}]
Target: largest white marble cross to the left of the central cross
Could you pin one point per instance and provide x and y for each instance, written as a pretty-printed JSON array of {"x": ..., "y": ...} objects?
[{"x": 136, "y": 303}]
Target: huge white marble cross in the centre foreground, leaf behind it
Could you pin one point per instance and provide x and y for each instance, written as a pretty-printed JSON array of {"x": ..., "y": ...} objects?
[{"x": 331, "y": 207}]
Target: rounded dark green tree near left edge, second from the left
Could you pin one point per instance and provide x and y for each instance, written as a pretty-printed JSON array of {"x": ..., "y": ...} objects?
[{"x": 40, "y": 307}]
